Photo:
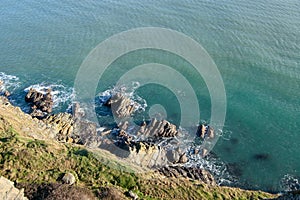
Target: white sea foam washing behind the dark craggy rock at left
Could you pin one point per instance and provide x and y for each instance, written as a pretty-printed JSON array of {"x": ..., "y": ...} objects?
[{"x": 61, "y": 94}]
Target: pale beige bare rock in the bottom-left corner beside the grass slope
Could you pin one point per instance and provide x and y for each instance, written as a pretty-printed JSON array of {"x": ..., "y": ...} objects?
[{"x": 9, "y": 192}]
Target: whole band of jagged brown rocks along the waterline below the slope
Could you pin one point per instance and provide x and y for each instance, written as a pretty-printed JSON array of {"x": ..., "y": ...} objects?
[{"x": 153, "y": 144}]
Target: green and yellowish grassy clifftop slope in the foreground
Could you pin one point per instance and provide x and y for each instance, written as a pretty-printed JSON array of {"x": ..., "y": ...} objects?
[{"x": 30, "y": 161}]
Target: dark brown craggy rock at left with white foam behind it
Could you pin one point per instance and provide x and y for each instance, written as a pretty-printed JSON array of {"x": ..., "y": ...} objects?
[{"x": 43, "y": 103}]
